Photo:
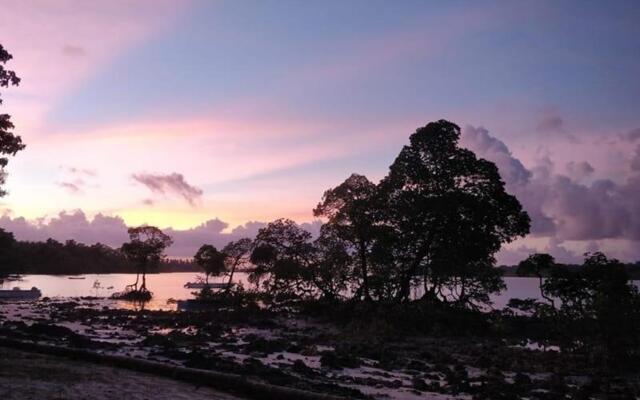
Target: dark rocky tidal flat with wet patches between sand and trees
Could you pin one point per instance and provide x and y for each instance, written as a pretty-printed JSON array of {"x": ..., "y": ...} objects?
[{"x": 312, "y": 353}]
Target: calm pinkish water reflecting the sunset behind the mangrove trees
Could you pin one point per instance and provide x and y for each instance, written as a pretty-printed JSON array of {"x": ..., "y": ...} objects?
[{"x": 171, "y": 286}]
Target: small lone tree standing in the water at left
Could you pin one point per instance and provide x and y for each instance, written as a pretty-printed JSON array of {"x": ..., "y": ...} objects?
[{"x": 145, "y": 250}]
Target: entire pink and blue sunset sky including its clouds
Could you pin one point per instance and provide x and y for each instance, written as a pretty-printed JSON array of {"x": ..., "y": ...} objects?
[{"x": 210, "y": 118}]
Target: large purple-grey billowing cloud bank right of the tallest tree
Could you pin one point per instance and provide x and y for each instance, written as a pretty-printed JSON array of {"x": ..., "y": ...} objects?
[{"x": 563, "y": 207}]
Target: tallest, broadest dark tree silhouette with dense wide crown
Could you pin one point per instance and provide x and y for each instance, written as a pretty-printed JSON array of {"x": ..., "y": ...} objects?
[{"x": 449, "y": 212}]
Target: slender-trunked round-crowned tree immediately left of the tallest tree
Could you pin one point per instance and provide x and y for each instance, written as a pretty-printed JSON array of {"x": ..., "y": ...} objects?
[{"x": 351, "y": 212}]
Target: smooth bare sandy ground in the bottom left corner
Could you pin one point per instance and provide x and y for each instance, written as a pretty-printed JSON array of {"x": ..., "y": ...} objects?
[{"x": 33, "y": 376}]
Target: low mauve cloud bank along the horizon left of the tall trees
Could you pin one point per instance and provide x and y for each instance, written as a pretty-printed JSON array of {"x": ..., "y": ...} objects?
[{"x": 112, "y": 231}]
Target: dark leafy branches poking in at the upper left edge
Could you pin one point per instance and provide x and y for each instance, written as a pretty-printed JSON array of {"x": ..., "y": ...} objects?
[{"x": 10, "y": 144}]
